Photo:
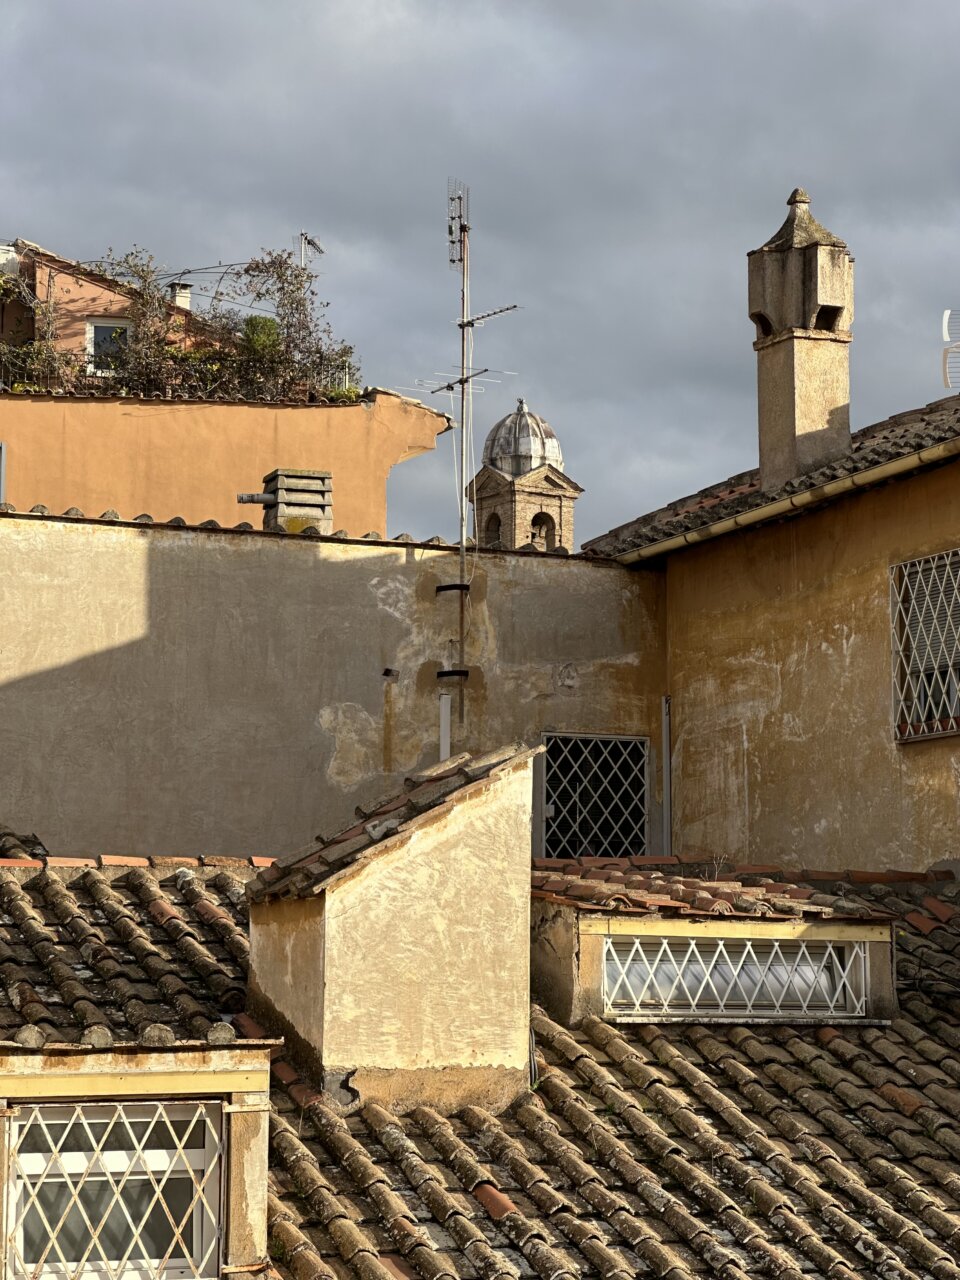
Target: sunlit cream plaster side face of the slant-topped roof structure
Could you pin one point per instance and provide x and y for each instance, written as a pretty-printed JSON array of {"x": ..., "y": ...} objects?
[{"x": 428, "y": 945}]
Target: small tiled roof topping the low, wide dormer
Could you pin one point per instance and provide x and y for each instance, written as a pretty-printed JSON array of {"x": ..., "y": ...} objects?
[{"x": 659, "y": 886}]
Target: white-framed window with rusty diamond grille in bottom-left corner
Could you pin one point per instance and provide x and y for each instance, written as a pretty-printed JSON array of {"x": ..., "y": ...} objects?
[{"x": 115, "y": 1191}]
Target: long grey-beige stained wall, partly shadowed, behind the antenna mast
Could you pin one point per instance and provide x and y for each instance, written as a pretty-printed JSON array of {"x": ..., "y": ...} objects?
[{"x": 195, "y": 692}]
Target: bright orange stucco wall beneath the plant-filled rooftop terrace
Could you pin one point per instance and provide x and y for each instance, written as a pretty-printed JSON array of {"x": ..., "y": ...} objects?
[{"x": 181, "y": 459}]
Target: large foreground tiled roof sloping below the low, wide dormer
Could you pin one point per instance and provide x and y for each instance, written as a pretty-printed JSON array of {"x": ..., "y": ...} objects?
[{"x": 666, "y": 1151}]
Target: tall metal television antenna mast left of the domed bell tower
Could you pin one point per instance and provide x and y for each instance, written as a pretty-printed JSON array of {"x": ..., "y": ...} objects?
[{"x": 459, "y": 254}]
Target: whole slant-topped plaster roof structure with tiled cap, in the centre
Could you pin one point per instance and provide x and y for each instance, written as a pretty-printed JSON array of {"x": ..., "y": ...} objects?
[{"x": 395, "y": 957}]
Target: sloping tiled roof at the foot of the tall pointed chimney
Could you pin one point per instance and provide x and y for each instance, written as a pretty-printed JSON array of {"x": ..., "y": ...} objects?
[{"x": 894, "y": 438}]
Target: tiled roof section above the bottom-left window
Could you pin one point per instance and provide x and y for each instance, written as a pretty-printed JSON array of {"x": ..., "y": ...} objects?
[{"x": 120, "y": 952}]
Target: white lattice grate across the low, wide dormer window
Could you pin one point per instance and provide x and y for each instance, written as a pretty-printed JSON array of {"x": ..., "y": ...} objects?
[{"x": 733, "y": 977}]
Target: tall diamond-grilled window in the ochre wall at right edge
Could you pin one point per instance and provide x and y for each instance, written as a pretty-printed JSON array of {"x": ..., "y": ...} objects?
[{"x": 926, "y": 610}]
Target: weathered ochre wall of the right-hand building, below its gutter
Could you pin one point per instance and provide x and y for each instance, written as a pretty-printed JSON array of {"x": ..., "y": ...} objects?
[{"x": 780, "y": 671}]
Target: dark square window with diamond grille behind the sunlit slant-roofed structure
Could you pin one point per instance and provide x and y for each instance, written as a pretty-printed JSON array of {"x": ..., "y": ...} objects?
[{"x": 595, "y": 797}]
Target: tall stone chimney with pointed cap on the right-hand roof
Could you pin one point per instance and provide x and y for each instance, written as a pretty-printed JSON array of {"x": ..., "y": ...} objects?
[{"x": 802, "y": 301}]
